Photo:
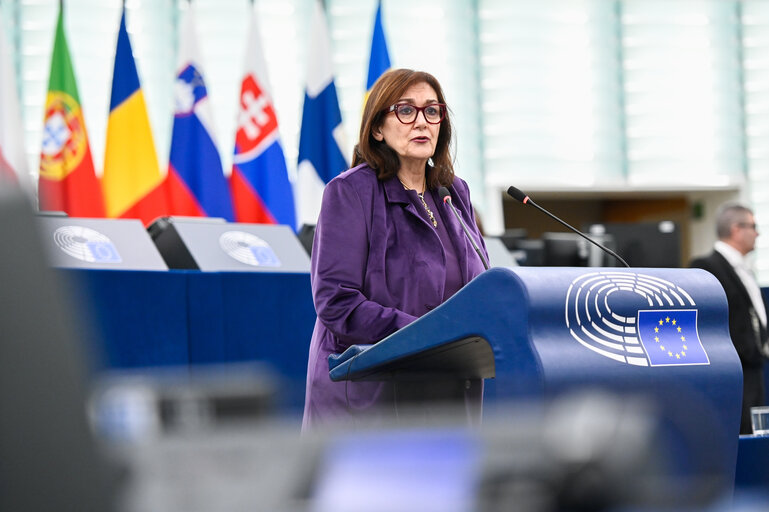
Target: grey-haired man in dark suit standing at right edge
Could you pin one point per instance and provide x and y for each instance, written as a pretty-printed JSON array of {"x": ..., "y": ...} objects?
[{"x": 736, "y": 230}]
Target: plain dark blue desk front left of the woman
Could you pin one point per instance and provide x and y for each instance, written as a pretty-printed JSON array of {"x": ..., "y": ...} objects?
[{"x": 155, "y": 319}]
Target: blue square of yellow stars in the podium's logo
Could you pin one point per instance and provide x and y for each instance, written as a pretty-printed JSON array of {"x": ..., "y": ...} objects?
[{"x": 670, "y": 337}]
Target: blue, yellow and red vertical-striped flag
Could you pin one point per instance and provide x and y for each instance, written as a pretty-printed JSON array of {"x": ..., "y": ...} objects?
[{"x": 132, "y": 180}]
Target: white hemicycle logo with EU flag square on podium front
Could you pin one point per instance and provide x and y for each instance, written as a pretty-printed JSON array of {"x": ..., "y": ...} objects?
[{"x": 636, "y": 319}]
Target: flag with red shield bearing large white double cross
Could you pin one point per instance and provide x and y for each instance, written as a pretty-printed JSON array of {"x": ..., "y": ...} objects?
[{"x": 261, "y": 190}]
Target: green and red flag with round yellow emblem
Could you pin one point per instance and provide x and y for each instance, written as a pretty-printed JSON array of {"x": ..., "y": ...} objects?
[{"x": 67, "y": 180}]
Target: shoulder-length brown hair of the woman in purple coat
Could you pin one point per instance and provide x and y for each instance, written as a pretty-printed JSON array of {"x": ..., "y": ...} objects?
[{"x": 381, "y": 157}]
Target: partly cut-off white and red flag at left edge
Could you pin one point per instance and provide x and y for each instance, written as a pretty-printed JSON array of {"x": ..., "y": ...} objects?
[{"x": 13, "y": 160}]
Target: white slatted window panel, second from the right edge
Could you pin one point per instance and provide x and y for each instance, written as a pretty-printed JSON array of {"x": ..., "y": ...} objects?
[{"x": 683, "y": 100}]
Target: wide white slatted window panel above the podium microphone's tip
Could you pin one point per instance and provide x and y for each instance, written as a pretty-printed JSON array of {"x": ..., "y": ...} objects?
[{"x": 550, "y": 86}]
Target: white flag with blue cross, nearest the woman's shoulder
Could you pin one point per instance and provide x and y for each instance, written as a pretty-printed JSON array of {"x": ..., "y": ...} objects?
[{"x": 322, "y": 135}]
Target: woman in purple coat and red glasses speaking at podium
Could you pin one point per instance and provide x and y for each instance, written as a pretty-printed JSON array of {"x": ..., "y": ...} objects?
[{"x": 386, "y": 250}]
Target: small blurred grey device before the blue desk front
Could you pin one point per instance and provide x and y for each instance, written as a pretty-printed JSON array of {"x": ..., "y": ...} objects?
[{"x": 140, "y": 404}]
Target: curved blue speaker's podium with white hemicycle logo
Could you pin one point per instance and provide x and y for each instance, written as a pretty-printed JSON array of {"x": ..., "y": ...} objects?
[{"x": 536, "y": 333}]
